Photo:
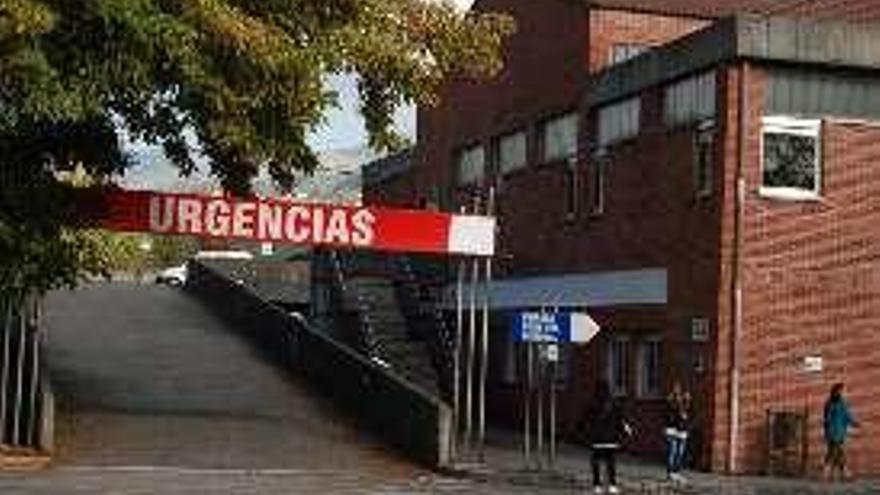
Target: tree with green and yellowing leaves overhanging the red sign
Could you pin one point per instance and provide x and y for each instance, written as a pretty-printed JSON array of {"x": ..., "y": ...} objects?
[{"x": 242, "y": 79}]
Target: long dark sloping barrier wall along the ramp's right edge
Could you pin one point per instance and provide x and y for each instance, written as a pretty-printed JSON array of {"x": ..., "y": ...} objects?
[{"x": 380, "y": 400}]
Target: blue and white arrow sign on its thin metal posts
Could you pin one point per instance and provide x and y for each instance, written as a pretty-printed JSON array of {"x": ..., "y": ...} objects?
[{"x": 547, "y": 331}]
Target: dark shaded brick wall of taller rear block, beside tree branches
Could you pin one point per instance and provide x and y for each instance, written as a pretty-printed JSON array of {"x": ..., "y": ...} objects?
[{"x": 544, "y": 75}]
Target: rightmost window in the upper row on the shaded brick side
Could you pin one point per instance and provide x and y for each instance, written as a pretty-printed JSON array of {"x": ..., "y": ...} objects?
[{"x": 691, "y": 100}]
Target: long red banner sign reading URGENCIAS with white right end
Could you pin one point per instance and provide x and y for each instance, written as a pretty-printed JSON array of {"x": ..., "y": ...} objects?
[{"x": 281, "y": 221}]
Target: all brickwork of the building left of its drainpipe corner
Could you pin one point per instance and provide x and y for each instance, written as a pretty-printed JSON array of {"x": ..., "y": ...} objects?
[{"x": 663, "y": 226}]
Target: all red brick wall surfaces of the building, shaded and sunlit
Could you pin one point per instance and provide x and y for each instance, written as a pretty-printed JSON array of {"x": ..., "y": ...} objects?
[{"x": 809, "y": 270}]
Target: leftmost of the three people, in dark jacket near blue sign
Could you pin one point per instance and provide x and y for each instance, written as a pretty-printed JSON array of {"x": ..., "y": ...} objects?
[{"x": 606, "y": 429}]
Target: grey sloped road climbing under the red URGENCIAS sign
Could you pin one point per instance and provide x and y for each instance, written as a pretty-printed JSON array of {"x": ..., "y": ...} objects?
[{"x": 153, "y": 387}]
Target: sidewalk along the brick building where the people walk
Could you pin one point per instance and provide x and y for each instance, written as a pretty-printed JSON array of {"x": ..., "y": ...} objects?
[{"x": 504, "y": 463}]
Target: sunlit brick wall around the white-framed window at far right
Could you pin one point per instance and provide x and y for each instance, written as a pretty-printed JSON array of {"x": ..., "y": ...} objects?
[{"x": 811, "y": 284}]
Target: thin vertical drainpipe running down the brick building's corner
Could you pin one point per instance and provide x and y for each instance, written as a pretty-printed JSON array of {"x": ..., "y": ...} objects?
[{"x": 737, "y": 291}]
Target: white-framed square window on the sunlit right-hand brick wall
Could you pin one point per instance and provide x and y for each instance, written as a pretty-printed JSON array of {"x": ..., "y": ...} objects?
[{"x": 790, "y": 157}]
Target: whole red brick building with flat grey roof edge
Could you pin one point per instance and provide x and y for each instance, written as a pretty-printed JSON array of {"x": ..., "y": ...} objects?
[{"x": 706, "y": 186}]
